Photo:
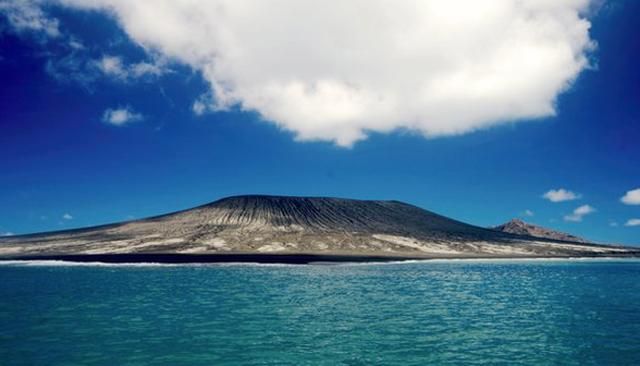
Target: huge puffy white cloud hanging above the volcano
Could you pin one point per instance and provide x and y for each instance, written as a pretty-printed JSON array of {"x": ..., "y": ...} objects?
[{"x": 336, "y": 70}]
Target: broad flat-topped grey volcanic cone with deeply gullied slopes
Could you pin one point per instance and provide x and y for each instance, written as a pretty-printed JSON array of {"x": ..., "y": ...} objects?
[{"x": 298, "y": 226}]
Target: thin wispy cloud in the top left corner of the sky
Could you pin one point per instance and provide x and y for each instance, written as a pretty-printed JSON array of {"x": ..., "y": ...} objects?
[{"x": 27, "y": 15}]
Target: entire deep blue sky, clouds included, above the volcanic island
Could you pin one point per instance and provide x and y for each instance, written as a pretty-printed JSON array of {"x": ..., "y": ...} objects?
[{"x": 483, "y": 111}]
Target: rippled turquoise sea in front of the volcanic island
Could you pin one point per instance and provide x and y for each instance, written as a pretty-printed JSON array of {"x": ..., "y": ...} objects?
[{"x": 456, "y": 312}]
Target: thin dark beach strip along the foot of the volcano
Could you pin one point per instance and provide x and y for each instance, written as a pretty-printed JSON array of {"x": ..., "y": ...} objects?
[{"x": 283, "y": 258}]
